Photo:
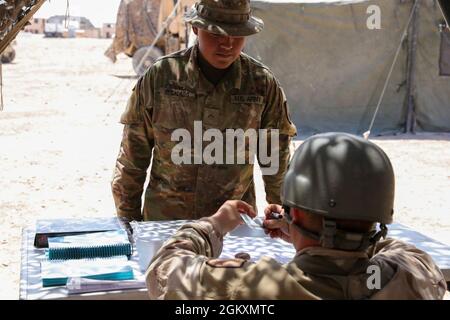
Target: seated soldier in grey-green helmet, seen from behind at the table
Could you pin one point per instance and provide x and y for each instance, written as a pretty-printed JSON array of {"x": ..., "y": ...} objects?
[{"x": 337, "y": 188}]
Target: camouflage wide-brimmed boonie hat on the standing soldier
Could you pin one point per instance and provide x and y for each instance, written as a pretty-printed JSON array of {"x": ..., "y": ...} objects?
[{"x": 227, "y": 17}]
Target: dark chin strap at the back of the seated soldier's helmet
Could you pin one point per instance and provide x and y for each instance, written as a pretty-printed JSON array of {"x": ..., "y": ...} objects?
[{"x": 334, "y": 238}]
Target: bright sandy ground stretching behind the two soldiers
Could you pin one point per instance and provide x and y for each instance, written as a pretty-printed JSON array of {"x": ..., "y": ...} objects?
[{"x": 59, "y": 137}]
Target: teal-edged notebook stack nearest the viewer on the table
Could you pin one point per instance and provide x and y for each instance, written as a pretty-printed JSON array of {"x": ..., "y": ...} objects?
[{"x": 56, "y": 272}]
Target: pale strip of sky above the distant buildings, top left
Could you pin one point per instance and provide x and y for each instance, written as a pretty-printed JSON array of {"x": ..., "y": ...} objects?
[{"x": 97, "y": 11}]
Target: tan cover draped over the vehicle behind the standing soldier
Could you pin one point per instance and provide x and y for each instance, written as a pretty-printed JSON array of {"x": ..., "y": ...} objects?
[{"x": 136, "y": 26}]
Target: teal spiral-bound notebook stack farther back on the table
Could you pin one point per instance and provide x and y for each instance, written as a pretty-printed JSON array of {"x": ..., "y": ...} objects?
[{"x": 90, "y": 245}]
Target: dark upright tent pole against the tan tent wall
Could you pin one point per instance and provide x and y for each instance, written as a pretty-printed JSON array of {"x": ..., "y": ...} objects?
[{"x": 410, "y": 126}]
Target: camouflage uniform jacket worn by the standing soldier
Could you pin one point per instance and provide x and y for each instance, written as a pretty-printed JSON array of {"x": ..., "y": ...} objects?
[{"x": 174, "y": 94}]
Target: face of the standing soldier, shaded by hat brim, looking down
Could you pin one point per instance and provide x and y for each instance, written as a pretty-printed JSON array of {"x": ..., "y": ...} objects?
[{"x": 219, "y": 50}]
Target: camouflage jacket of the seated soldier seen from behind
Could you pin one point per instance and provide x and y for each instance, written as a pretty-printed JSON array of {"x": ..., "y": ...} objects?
[{"x": 186, "y": 267}]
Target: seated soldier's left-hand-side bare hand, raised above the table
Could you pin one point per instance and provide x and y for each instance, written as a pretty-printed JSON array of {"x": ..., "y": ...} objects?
[{"x": 228, "y": 217}]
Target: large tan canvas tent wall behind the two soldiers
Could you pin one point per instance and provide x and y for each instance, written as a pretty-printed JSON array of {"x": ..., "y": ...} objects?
[{"x": 333, "y": 68}]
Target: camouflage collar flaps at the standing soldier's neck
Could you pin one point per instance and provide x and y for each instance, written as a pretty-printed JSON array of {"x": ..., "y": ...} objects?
[{"x": 232, "y": 78}]
